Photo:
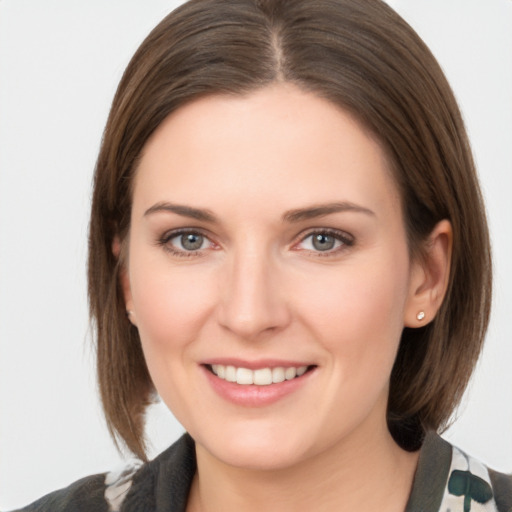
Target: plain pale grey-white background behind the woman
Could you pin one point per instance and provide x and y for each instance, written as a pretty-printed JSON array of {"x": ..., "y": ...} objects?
[{"x": 60, "y": 61}]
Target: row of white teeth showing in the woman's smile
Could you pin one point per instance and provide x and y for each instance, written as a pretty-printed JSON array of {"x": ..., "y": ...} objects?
[{"x": 260, "y": 377}]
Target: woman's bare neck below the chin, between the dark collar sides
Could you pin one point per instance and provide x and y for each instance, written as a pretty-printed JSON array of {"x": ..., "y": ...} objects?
[{"x": 360, "y": 473}]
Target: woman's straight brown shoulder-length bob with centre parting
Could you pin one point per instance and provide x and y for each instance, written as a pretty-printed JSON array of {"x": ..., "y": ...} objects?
[{"x": 364, "y": 58}]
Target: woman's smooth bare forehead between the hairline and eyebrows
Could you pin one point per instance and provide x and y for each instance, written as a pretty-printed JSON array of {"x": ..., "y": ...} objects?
[{"x": 279, "y": 143}]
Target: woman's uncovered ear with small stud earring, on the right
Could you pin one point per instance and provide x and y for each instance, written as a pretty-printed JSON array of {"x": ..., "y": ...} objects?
[{"x": 429, "y": 277}]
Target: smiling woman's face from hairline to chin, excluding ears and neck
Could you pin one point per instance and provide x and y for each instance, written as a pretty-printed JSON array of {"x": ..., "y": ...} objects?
[{"x": 267, "y": 244}]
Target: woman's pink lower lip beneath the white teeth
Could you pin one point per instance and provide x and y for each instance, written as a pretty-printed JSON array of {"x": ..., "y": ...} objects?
[{"x": 251, "y": 395}]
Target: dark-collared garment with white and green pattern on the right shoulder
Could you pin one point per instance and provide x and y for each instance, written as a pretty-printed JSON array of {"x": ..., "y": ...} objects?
[{"x": 448, "y": 479}]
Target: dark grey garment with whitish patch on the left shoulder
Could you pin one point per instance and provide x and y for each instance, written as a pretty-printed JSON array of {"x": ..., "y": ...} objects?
[{"x": 136, "y": 487}]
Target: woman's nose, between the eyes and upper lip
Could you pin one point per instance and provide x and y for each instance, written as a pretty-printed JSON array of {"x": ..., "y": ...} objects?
[{"x": 253, "y": 302}]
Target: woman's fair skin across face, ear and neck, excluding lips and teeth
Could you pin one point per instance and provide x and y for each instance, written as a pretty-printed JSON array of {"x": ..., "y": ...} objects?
[{"x": 259, "y": 289}]
